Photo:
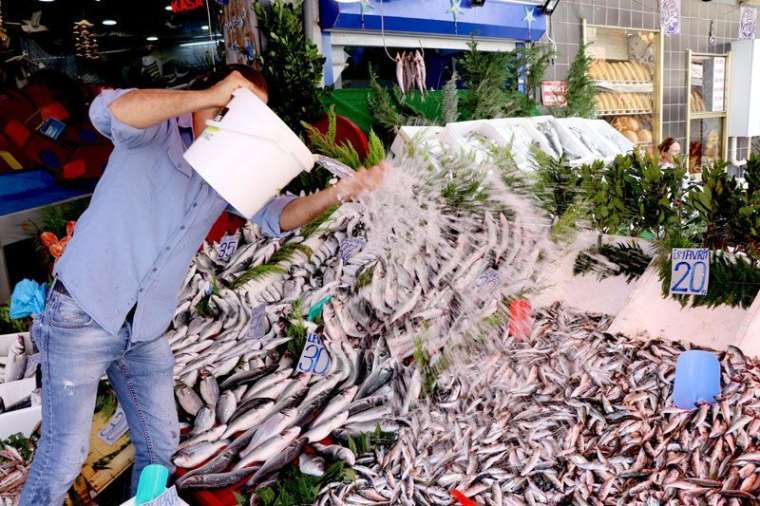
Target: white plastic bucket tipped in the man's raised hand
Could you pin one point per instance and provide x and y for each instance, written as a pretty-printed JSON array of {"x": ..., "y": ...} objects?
[{"x": 249, "y": 155}]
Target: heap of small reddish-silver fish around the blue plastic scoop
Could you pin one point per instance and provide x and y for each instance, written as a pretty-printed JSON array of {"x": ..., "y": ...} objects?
[{"x": 572, "y": 415}]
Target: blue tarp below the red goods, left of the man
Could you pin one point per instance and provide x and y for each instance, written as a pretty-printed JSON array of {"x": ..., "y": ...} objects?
[{"x": 34, "y": 188}]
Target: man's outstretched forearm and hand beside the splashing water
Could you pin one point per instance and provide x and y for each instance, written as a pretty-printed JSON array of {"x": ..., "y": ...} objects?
[{"x": 304, "y": 209}]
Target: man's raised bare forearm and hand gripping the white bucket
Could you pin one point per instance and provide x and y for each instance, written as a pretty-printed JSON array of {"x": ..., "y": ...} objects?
[{"x": 146, "y": 108}]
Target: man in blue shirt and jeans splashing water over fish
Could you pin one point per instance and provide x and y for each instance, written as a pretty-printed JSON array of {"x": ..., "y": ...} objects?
[{"x": 116, "y": 286}]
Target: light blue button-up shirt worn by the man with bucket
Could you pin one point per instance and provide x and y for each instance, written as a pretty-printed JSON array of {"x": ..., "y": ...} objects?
[{"x": 148, "y": 215}]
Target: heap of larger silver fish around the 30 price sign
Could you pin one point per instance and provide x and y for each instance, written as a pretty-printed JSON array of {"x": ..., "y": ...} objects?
[{"x": 416, "y": 265}]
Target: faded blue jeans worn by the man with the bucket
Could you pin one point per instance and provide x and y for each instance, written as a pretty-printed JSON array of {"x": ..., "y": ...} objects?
[{"x": 75, "y": 353}]
